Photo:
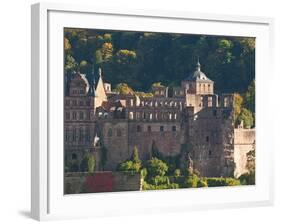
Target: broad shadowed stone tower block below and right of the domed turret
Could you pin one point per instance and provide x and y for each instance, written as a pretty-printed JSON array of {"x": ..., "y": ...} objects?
[{"x": 211, "y": 141}]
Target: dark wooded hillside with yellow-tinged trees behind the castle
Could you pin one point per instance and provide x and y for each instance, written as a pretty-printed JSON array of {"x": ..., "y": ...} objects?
[{"x": 143, "y": 58}]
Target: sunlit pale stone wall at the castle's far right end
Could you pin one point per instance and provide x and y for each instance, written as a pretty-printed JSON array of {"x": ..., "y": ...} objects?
[{"x": 244, "y": 141}]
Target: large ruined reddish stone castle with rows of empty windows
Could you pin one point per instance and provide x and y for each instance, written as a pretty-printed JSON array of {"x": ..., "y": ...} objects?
[{"x": 190, "y": 121}]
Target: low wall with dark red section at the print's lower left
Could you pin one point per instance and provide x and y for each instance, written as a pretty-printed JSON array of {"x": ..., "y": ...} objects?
[{"x": 108, "y": 181}]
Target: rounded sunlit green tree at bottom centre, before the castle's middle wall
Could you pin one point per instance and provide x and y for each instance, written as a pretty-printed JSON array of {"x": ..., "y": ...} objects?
[{"x": 156, "y": 167}]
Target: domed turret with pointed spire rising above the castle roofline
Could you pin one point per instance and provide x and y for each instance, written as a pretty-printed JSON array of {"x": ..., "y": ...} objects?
[{"x": 198, "y": 83}]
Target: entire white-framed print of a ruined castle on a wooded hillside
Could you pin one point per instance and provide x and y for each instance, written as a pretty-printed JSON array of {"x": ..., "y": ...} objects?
[{"x": 162, "y": 111}]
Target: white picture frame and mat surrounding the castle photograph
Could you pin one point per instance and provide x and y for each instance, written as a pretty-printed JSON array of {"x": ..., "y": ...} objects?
[{"x": 47, "y": 198}]
